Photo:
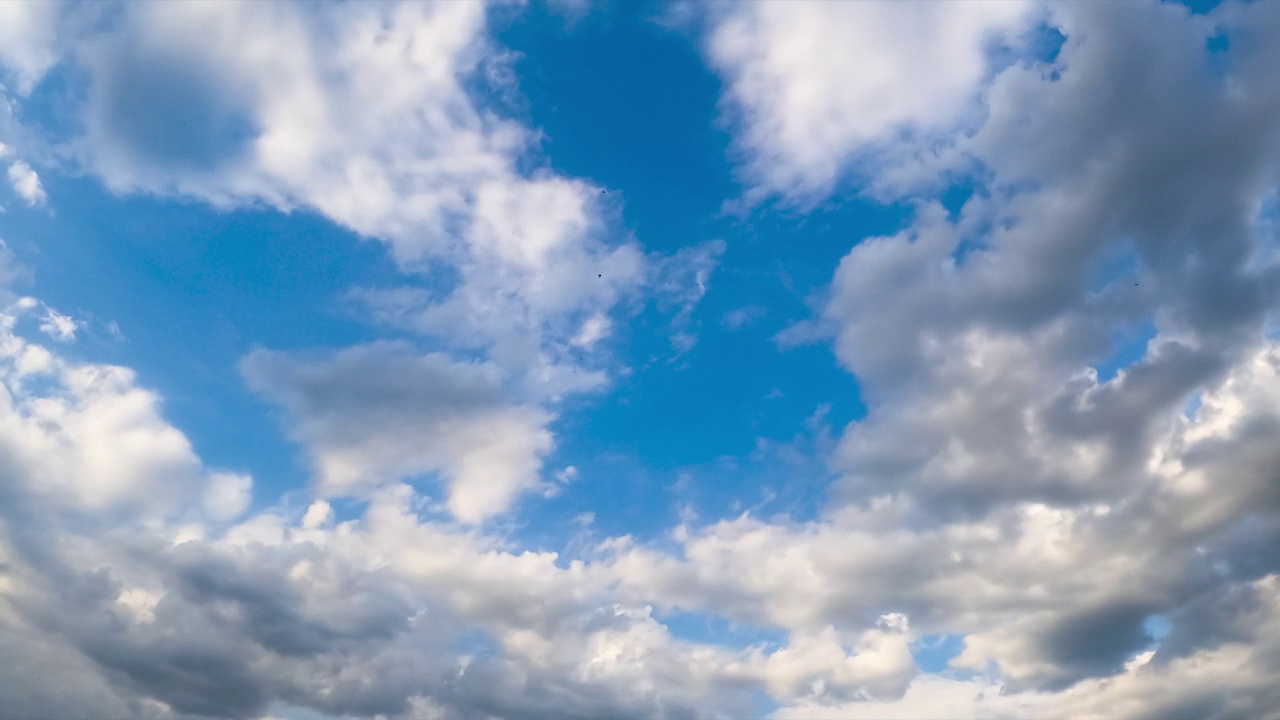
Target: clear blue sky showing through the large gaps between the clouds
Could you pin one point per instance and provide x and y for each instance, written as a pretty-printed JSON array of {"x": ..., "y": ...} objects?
[{"x": 194, "y": 289}]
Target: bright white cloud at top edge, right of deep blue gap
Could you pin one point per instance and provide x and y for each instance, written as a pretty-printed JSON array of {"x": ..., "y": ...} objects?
[{"x": 813, "y": 88}]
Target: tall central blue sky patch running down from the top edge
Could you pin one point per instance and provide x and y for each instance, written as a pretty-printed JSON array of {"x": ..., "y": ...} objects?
[{"x": 691, "y": 422}]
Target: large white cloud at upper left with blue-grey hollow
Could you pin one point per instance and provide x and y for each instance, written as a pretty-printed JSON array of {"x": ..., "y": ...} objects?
[{"x": 241, "y": 104}]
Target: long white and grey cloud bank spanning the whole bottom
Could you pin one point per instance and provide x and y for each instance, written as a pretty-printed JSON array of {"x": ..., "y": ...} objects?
[{"x": 363, "y": 617}]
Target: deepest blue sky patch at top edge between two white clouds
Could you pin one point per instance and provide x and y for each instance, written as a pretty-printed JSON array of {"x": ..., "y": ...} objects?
[{"x": 643, "y": 130}]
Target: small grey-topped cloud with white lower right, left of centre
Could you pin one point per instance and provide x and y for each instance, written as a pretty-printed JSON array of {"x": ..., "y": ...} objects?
[{"x": 376, "y": 414}]
